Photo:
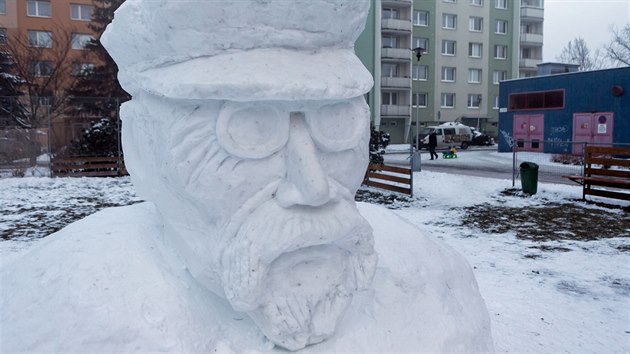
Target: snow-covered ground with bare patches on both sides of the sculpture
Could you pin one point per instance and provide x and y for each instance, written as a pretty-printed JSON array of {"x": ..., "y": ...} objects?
[{"x": 554, "y": 294}]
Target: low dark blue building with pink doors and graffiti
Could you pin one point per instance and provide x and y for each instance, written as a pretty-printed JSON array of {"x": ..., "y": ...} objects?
[{"x": 550, "y": 113}]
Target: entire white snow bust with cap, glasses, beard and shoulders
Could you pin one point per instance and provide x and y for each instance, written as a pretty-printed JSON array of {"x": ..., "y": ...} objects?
[{"x": 248, "y": 134}]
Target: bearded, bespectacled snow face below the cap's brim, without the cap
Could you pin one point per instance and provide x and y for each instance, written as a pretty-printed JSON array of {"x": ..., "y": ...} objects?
[{"x": 271, "y": 186}]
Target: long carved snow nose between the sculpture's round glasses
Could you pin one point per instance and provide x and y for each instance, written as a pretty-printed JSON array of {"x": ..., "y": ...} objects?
[{"x": 306, "y": 181}]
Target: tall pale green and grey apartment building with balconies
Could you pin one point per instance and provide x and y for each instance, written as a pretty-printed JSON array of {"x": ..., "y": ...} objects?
[{"x": 468, "y": 47}]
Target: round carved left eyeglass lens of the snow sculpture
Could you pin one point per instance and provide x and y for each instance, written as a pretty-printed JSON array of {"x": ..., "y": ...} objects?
[{"x": 252, "y": 130}]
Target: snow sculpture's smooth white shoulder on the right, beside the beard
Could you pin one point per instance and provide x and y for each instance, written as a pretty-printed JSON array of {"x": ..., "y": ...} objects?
[{"x": 424, "y": 296}]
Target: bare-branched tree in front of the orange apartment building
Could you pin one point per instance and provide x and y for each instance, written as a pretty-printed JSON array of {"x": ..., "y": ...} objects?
[{"x": 42, "y": 62}]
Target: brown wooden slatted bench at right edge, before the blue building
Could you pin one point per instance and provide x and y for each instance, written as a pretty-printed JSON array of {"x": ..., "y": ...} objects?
[{"x": 606, "y": 173}]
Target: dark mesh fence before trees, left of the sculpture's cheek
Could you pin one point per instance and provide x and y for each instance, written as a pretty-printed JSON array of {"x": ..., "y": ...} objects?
[{"x": 81, "y": 138}]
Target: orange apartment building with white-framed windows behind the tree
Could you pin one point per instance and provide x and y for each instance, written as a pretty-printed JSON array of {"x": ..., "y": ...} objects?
[{"x": 57, "y": 29}]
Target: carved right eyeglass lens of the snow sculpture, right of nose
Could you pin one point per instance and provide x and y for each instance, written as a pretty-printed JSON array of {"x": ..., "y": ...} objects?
[{"x": 339, "y": 126}]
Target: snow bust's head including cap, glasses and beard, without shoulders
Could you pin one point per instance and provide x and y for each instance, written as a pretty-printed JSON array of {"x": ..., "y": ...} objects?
[{"x": 248, "y": 129}]
